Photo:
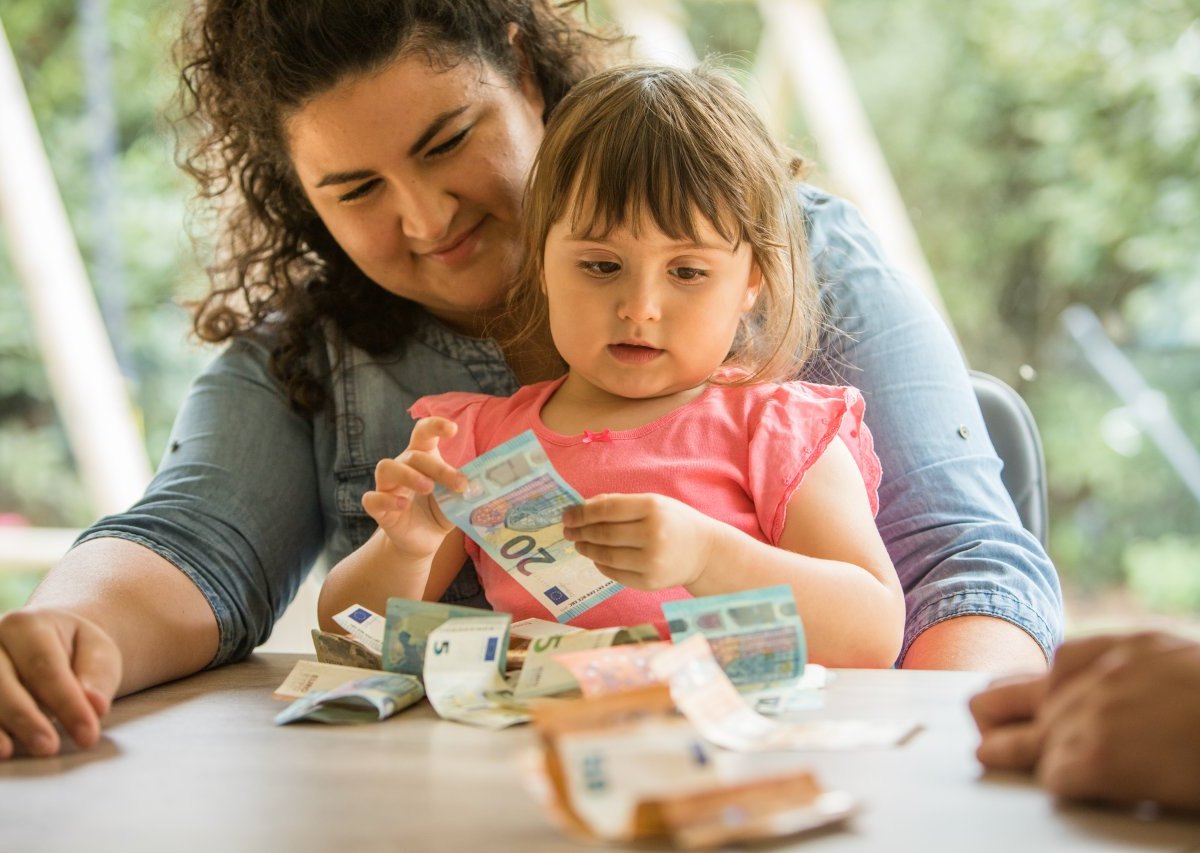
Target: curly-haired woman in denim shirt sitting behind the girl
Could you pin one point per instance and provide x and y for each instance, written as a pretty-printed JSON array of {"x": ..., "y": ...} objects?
[{"x": 369, "y": 158}]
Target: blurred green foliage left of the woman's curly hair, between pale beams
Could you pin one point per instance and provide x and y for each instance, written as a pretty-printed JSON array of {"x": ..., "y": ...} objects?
[{"x": 158, "y": 268}]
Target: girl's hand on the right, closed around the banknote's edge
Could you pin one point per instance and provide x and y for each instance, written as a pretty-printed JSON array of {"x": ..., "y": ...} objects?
[{"x": 643, "y": 542}]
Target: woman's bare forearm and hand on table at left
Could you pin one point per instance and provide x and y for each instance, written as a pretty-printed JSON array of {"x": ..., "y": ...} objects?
[{"x": 112, "y": 618}]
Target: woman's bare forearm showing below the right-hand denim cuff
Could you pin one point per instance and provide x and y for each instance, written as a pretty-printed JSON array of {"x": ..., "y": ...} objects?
[{"x": 980, "y": 644}]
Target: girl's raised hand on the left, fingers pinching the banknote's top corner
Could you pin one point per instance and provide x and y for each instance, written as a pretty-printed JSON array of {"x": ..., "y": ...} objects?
[{"x": 403, "y": 502}]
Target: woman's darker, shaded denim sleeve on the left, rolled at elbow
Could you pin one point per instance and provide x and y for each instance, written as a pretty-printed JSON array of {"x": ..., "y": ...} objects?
[{"x": 236, "y": 503}]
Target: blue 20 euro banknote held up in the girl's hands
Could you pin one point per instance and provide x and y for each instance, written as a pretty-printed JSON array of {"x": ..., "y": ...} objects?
[{"x": 513, "y": 508}]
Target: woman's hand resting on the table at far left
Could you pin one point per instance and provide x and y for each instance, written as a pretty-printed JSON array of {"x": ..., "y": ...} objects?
[{"x": 55, "y": 665}]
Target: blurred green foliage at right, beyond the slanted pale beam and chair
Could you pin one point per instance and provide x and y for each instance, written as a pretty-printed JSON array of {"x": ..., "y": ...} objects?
[{"x": 1048, "y": 151}]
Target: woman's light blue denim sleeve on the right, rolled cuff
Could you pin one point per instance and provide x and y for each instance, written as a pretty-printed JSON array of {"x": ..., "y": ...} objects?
[{"x": 950, "y": 525}]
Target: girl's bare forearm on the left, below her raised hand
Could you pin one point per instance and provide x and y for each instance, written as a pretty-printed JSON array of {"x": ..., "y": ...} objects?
[{"x": 376, "y": 573}]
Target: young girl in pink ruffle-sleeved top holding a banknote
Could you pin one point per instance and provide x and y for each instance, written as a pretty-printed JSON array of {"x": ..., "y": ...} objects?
[{"x": 665, "y": 259}]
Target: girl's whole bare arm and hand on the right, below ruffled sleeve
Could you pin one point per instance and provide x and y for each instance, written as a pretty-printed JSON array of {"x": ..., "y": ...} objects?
[{"x": 830, "y": 554}]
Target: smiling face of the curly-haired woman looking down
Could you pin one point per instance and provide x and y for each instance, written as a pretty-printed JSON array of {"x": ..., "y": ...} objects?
[{"x": 418, "y": 173}]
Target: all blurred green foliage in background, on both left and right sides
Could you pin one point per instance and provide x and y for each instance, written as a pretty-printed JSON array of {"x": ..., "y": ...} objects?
[{"x": 1048, "y": 152}]
